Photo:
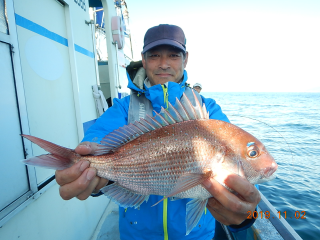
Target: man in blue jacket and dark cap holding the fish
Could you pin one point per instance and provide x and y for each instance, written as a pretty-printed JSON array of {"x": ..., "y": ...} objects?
[{"x": 164, "y": 58}]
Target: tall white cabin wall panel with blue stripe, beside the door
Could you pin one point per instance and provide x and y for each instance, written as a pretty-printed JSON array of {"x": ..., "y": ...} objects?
[{"x": 47, "y": 77}]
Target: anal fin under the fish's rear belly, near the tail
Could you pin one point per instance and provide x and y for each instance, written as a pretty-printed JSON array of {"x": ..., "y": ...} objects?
[{"x": 123, "y": 196}]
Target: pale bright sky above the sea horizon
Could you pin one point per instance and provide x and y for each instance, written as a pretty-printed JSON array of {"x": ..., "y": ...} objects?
[{"x": 240, "y": 45}]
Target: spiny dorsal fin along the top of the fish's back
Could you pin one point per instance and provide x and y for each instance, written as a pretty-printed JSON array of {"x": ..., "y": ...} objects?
[{"x": 183, "y": 110}]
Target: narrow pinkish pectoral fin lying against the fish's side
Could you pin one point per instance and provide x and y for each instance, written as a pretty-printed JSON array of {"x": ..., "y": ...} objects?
[{"x": 186, "y": 182}]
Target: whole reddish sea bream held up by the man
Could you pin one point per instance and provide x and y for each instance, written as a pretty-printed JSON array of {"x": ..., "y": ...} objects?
[{"x": 170, "y": 155}]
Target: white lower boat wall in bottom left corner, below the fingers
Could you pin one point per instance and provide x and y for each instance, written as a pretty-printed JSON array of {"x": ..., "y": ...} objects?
[{"x": 51, "y": 218}]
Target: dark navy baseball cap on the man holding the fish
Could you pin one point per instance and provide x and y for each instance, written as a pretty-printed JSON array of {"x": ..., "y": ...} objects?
[{"x": 164, "y": 34}]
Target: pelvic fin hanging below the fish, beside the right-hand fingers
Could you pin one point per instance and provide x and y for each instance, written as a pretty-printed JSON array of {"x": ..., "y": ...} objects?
[{"x": 195, "y": 209}]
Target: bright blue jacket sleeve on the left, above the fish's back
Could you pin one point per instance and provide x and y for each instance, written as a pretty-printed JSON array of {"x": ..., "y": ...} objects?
[{"x": 115, "y": 117}]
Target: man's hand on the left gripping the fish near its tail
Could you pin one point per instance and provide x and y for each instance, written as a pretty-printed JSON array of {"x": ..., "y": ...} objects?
[{"x": 80, "y": 180}]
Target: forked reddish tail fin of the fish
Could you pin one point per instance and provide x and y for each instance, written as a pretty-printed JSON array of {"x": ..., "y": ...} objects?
[{"x": 59, "y": 158}]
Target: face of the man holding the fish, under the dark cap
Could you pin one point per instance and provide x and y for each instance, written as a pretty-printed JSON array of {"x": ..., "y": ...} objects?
[{"x": 164, "y": 64}]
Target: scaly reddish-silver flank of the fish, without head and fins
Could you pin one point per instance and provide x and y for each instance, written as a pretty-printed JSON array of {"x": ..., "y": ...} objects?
[{"x": 150, "y": 168}]
